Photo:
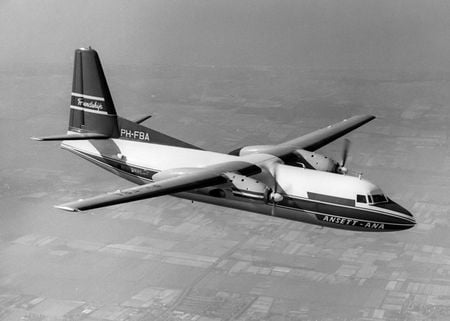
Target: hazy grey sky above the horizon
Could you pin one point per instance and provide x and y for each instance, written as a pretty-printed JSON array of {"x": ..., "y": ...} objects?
[{"x": 381, "y": 34}]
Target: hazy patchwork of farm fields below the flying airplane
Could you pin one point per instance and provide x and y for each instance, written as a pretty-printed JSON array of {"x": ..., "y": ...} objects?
[{"x": 173, "y": 259}]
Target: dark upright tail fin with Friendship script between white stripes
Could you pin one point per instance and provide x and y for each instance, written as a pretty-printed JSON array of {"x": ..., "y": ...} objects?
[{"x": 91, "y": 106}]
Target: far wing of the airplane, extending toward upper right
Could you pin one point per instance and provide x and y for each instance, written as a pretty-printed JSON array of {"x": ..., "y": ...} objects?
[{"x": 311, "y": 141}]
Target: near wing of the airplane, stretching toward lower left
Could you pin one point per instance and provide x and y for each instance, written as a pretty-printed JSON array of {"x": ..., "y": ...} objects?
[{"x": 197, "y": 178}]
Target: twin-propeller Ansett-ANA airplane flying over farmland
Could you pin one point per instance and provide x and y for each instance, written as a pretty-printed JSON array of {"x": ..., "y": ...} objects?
[{"x": 287, "y": 180}]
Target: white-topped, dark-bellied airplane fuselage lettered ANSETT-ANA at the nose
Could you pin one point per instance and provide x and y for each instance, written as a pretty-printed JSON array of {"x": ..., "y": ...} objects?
[{"x": 309, "y": 196}]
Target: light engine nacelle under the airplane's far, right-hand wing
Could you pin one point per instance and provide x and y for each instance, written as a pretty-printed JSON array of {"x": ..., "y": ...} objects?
[{"x": 311, "y": 160}]
